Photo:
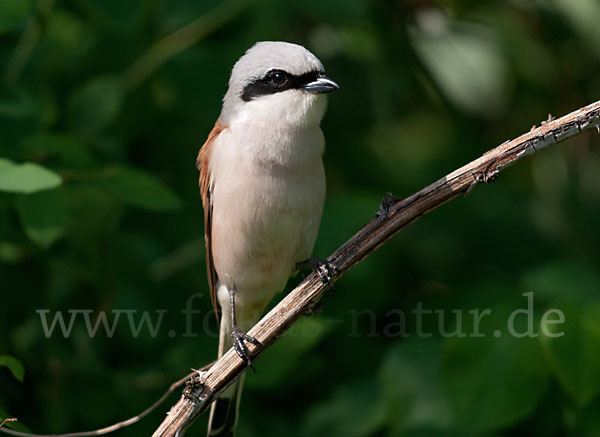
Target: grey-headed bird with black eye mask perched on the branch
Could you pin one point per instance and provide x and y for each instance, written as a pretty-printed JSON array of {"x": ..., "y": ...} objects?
[{"x": 262, "y": 184}]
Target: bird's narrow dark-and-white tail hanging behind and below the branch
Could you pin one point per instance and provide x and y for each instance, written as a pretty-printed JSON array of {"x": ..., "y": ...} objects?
[{"x": 224, "y": 411}]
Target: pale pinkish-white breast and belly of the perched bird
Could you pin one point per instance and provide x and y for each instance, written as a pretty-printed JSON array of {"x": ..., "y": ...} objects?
[{"x": 268, "y": 192}]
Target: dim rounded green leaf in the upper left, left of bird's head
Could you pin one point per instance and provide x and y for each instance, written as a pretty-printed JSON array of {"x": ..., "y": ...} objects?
[{"x": 95, "y": 104}]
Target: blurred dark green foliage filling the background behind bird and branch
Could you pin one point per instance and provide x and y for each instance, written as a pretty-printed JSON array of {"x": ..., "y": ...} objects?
[{"x": 103, "y": 106}]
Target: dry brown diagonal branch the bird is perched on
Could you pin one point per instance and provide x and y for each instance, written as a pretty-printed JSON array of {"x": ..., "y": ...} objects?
[{"x": 206, "y": 386}]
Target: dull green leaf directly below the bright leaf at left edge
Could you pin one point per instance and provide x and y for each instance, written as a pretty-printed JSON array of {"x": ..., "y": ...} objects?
[{"x": 43, "y": 215}]
